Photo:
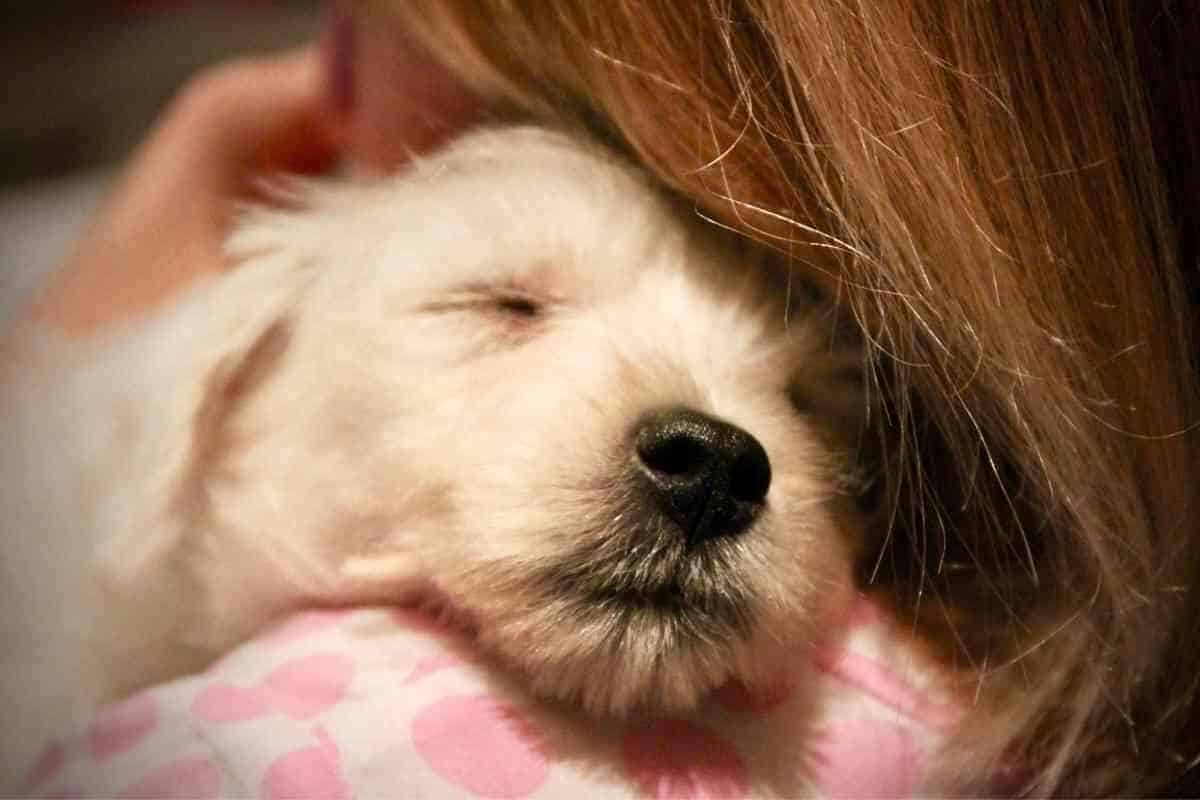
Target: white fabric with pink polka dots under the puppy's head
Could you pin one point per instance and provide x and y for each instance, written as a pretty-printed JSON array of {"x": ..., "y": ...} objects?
[{"x": 383, "y": 703}]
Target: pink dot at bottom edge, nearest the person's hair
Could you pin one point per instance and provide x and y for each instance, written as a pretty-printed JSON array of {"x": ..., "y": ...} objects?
[{"x": 867, "y": 759}]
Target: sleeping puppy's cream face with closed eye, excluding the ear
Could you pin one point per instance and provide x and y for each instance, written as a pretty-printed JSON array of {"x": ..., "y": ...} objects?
[{"x": 598, "y": 430}]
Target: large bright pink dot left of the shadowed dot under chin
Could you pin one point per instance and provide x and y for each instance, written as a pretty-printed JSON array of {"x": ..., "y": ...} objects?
[{"x": 482, "y": 747}]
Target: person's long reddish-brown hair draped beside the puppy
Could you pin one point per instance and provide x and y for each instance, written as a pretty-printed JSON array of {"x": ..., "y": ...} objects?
[{"x": 1004, "y": 195}]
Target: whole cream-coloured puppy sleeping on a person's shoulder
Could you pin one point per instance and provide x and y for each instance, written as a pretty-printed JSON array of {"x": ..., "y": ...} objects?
[{"x": 517, "y": 380}]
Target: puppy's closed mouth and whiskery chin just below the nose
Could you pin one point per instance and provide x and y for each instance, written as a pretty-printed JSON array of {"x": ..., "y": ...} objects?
[{"x": 639, "y": 622}]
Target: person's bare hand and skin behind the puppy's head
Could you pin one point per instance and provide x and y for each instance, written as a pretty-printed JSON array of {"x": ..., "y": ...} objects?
[{"x": 365, "y": 97}]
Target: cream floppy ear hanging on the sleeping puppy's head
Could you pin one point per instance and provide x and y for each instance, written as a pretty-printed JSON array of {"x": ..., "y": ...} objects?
[{"x": 153, "y": 562}]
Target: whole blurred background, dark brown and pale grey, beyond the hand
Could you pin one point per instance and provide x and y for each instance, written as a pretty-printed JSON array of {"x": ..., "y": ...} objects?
[{"x": 83, "y": 80}]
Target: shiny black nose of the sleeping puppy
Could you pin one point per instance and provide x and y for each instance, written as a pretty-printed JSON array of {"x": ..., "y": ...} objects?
[{"x": 710, "y": 477}]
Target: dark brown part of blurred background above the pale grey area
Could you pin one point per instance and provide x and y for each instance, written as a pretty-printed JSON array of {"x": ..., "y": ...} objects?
[{"x": 83, "y": 80}]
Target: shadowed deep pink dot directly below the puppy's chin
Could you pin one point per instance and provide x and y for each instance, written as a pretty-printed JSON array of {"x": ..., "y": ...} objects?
[{"x": 674, "y": 759}]
